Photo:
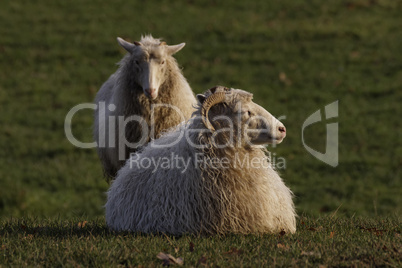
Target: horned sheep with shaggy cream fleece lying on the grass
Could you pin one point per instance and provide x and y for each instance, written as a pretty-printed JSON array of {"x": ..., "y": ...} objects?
[{"x": 209, "y": 176}]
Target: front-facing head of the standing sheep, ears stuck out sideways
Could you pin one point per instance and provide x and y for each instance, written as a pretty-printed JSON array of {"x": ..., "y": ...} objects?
[{"x": 149, "y": 59}]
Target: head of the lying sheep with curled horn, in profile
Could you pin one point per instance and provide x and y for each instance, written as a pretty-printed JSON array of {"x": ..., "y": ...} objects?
[{"x": 224, "y": 109}]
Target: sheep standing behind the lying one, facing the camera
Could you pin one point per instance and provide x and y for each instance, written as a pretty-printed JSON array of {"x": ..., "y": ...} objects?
[{"x": 147, "y": 95}]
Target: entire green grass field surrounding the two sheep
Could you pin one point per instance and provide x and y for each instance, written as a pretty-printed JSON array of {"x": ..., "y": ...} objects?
[{"x": 295, "y": 56}]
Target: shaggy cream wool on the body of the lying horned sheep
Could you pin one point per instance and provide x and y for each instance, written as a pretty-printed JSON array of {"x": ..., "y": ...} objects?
[{"x": 201, "y": 198}]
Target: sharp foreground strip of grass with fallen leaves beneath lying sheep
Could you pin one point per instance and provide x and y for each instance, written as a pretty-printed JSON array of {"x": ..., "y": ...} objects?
[{"x": 327, "y": 241}]
